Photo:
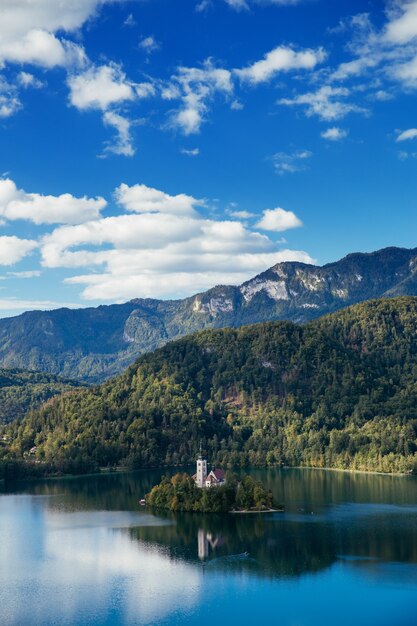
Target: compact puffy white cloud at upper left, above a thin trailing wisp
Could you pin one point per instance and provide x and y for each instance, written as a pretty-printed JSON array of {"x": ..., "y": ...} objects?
[{"x": 100, "y": 87}]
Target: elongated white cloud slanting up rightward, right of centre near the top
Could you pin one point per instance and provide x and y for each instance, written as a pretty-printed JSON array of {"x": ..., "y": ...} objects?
[{"x": 281, "y": 59}]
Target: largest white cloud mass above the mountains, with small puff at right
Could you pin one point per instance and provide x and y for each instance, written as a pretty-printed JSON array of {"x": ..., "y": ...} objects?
[{"x": 163, "y": 247}]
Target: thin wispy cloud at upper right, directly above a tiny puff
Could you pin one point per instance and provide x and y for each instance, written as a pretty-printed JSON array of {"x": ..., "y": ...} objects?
[{"x": 328, "y": 103}]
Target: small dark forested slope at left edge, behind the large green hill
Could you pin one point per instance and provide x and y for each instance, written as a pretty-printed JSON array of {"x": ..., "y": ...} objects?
[{"x": 22, "y": 391}]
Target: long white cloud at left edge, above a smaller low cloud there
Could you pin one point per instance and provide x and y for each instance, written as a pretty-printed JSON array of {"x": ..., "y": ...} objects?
[{"x": 16, "y": 204}]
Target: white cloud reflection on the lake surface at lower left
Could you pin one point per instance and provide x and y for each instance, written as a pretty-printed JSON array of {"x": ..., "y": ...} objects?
[{"x": 71, "y": 570}]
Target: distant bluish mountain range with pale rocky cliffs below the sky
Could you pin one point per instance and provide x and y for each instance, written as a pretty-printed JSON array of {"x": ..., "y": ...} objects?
[{"x": 95, "y": 343}]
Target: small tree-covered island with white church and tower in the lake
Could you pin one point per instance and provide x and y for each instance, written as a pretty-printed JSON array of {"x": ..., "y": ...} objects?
[{"x": 205, "y": 493}]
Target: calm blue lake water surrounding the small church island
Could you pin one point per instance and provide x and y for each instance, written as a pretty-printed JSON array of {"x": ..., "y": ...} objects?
[{"x": 83, "y": 552}]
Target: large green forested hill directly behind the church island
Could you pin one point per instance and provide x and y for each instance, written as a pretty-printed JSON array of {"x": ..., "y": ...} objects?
[{"x": 340, "y": 391}]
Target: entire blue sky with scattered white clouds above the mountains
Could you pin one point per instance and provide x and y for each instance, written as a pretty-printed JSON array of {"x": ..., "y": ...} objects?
[{"x": 160, "y": 147}]
